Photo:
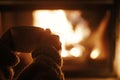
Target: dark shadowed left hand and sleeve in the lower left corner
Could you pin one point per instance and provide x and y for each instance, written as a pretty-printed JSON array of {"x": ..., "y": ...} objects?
[{"x": 7, "y": 61}]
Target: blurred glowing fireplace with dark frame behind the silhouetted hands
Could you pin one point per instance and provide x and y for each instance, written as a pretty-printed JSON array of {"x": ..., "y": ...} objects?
[{"x": 86, "y": 30}]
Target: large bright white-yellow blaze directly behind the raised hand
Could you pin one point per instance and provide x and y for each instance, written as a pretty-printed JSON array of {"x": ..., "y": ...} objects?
[{"x": 57, "y": 22}]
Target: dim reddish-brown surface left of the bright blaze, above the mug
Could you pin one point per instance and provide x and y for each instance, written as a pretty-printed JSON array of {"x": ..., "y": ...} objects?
[{"x": 14, "y": 18}]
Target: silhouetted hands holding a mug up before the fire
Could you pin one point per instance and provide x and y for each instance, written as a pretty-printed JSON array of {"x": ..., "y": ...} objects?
[{"x": 44, "y": 47}]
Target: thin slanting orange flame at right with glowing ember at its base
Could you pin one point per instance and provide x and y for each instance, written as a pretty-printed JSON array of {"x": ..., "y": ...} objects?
[{"x": 97, "y": 39}]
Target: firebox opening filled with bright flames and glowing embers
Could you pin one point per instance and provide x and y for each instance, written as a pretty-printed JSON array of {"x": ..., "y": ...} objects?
[{"x": 85, "y": 39}]
